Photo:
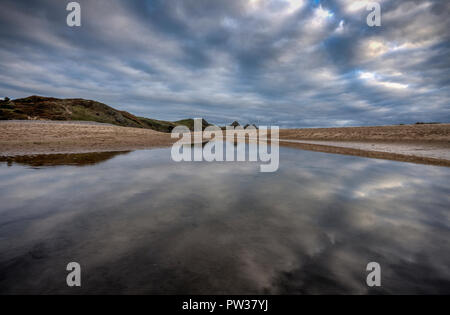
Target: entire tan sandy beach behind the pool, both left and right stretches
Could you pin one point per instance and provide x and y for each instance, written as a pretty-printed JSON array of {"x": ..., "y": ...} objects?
[{"x": 426, "y": 144}]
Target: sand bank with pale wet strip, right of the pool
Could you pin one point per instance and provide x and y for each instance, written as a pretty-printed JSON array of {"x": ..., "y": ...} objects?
[{"x": 420, "y": 143}]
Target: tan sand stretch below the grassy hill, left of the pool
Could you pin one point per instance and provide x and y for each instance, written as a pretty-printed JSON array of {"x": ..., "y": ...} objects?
[{"x": 51, "y": 137}]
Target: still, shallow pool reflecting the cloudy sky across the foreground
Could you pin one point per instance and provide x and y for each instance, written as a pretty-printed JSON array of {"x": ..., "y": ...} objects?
[{"x": 139, "y": 223}]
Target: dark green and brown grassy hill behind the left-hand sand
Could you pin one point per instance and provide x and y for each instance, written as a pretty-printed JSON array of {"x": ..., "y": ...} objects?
[{"x": 48, "y": 108}]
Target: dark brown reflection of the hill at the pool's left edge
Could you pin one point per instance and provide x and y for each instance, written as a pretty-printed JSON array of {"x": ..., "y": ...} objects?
[{"x": 75, "y": 159}]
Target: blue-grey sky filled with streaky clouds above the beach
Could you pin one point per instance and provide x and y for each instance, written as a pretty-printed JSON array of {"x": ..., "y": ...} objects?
[{"x": 291, "y": 63}]
